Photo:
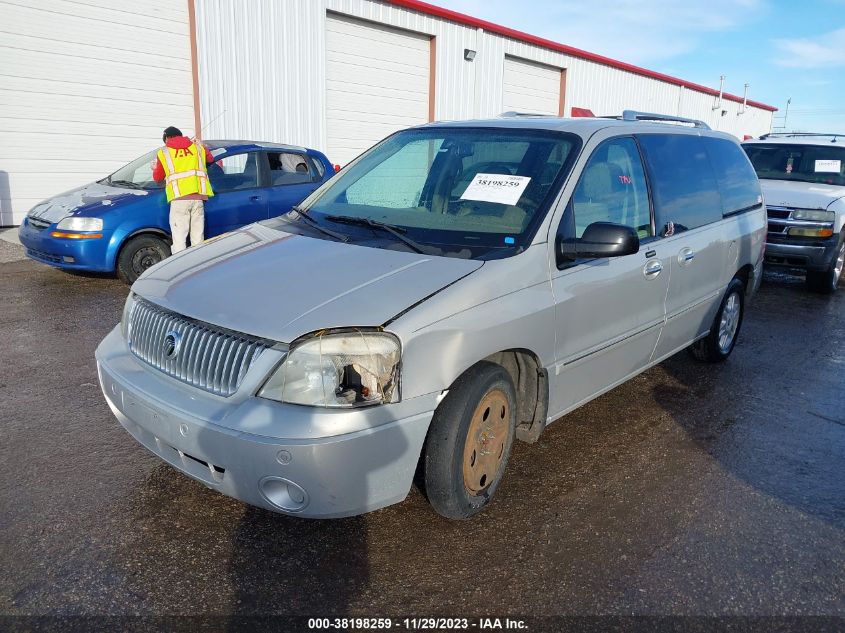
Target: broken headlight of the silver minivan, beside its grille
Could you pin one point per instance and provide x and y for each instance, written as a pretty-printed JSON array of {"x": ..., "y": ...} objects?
[{"x": 338, "y": 369}]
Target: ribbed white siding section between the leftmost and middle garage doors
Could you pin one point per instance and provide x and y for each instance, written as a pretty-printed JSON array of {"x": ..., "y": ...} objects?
[{"x": 262, "y": 70}]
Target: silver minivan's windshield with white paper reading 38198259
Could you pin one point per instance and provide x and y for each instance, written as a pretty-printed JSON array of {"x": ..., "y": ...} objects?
[{"x": 461, "y": 192}]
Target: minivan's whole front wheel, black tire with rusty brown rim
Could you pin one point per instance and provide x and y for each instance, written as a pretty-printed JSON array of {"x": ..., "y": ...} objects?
[{"x": 460, "y": 477}]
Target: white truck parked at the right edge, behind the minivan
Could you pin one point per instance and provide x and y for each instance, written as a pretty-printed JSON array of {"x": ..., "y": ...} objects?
[{"x": 803, "y": 181}]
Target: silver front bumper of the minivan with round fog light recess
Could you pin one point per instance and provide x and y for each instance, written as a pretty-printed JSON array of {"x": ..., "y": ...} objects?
[{"x": 238, "y": 446}]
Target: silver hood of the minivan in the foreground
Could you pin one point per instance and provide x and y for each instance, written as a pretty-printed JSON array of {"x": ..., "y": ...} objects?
[{"x": 276, "y": 285}]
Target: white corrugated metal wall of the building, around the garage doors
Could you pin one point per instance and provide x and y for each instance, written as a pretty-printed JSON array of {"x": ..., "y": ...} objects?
[{"x": 262, "y": 64}]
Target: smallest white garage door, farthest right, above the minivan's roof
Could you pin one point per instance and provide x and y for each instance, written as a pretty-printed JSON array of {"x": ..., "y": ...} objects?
[{"x": 530, "y": 87}]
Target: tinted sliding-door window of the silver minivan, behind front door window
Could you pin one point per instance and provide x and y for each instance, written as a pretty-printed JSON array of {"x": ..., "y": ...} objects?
[{"x": 683, "y": 183}]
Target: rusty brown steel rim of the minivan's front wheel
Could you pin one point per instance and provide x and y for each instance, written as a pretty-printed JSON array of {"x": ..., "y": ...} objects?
[{"x": 485, "y": 444}]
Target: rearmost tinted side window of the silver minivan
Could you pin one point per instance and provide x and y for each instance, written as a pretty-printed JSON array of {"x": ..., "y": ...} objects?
[{"x": 735, "y": 175}]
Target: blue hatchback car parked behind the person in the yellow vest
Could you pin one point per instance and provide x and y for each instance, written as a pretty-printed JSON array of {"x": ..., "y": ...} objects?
[{"x": 120, "y": 223}]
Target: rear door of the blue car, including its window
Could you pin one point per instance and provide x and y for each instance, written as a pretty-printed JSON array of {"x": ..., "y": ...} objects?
[{"x": 291, "y": 177}]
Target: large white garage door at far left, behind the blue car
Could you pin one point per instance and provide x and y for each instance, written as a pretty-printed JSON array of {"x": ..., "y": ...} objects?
[{"x": 85, "y": 87}]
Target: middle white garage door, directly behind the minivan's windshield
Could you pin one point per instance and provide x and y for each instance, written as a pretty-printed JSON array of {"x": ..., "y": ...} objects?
[{"x": 377, "y": 82}]
